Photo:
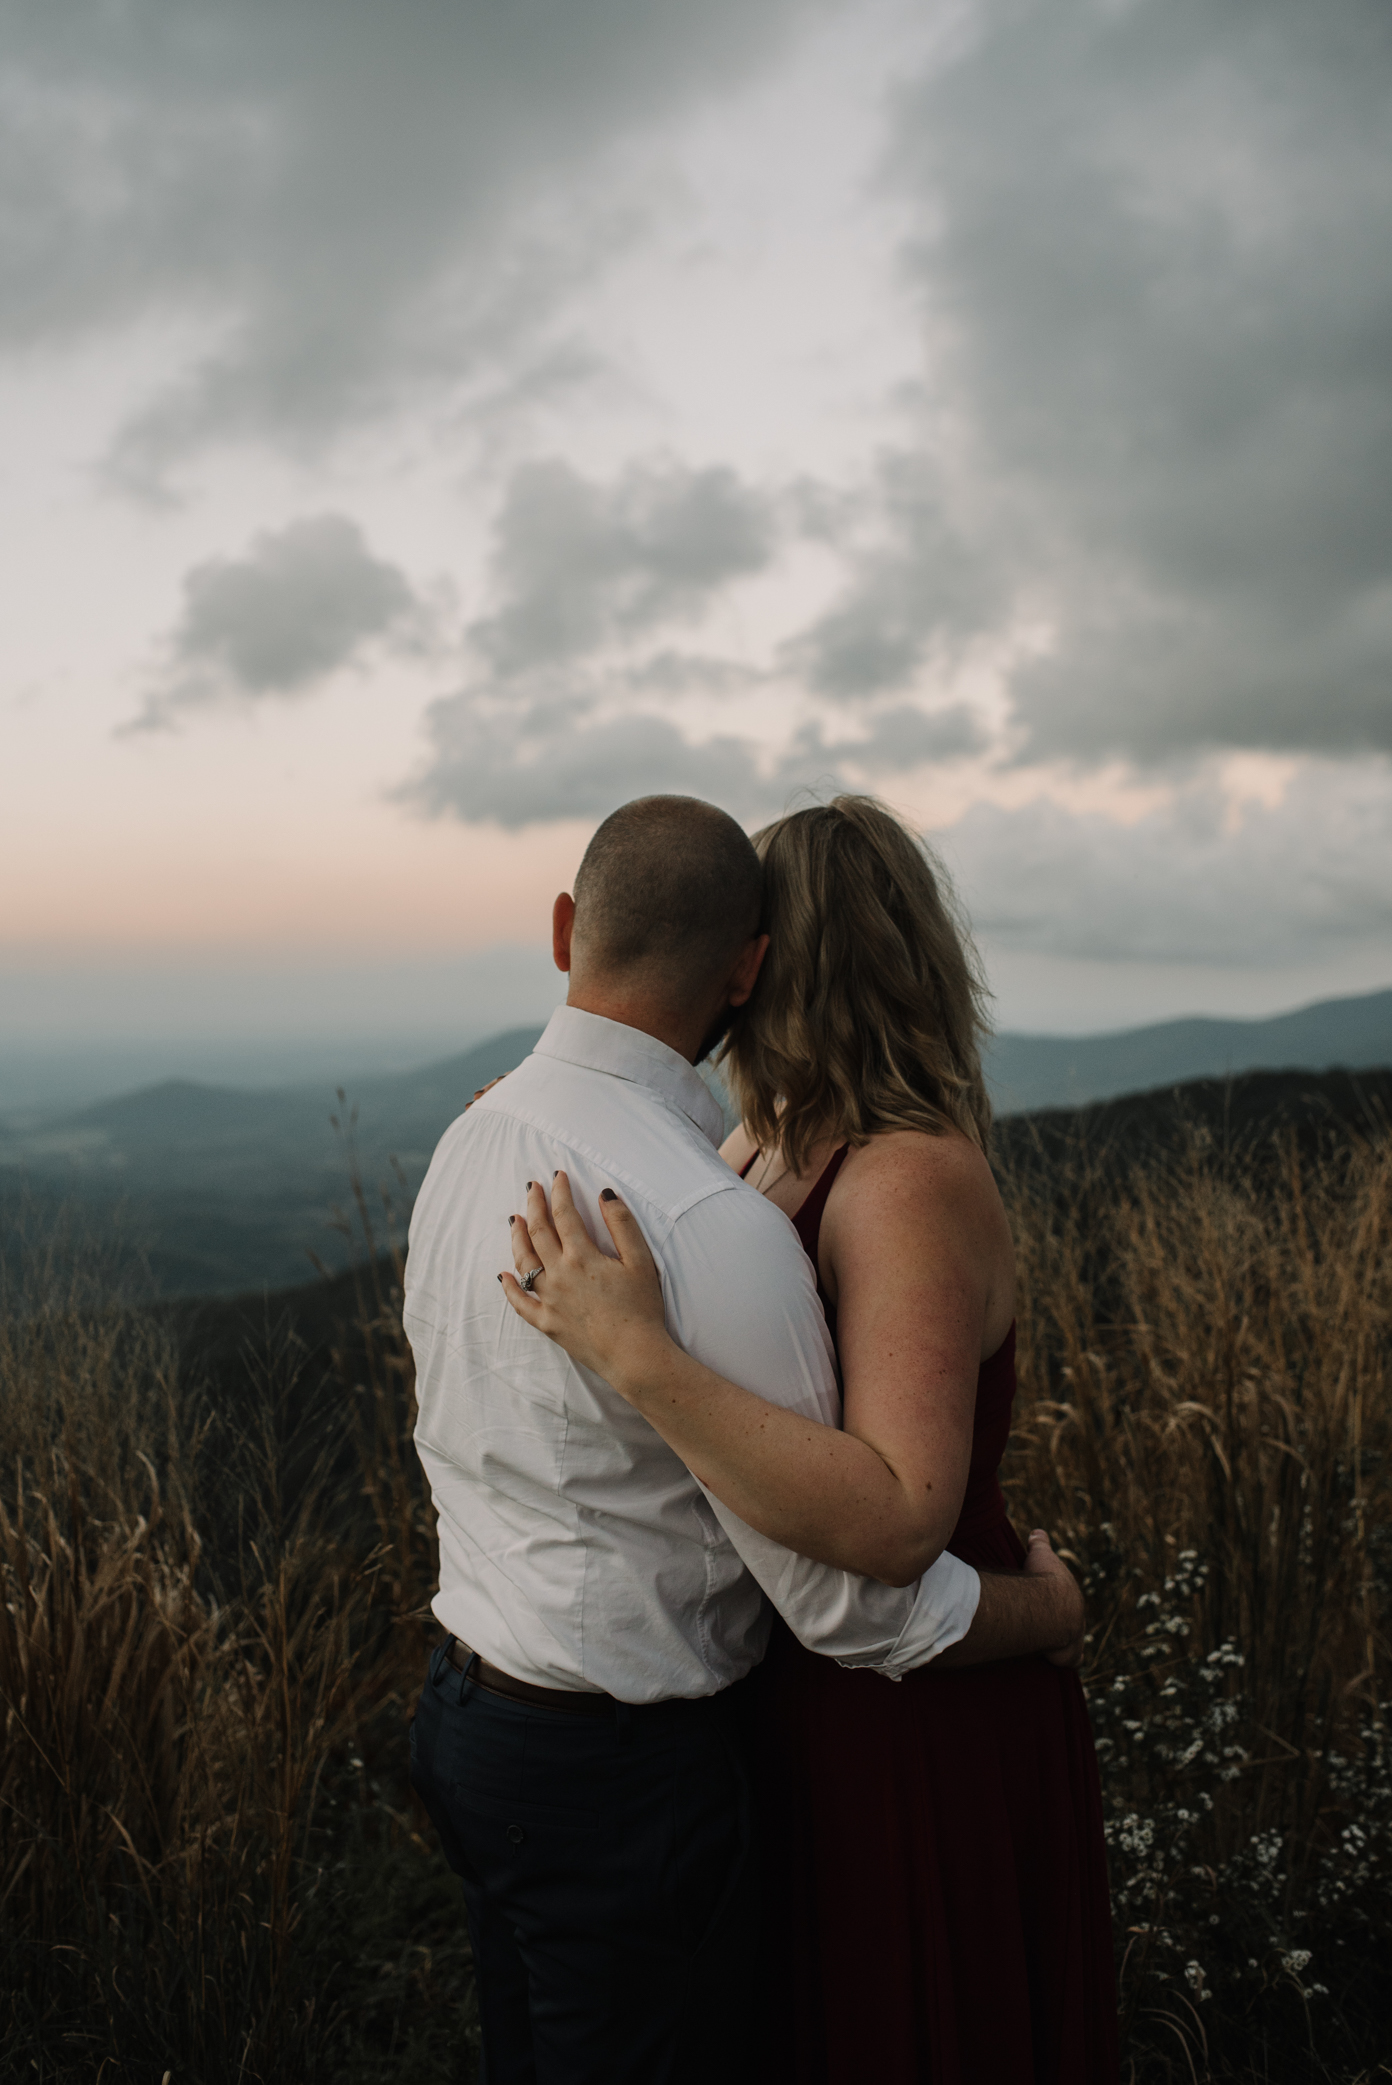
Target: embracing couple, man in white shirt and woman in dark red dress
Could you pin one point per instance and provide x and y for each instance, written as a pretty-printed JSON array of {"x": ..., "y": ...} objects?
[{"x": 755, "y": 1734}]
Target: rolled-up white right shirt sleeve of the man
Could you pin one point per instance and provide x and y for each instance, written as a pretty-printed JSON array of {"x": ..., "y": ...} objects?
[{"x": 743, "y": 1300}]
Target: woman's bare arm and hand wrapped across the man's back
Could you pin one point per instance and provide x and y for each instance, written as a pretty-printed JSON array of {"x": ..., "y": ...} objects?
[{"x": 914, "y": 1294}]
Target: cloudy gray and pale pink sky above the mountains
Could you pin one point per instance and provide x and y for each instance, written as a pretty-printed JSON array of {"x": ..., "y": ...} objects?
[{"x": 430, "y": 426}]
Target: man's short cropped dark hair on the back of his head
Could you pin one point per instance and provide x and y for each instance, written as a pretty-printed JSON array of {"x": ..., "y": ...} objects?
[{"x": 670, "y": 887}]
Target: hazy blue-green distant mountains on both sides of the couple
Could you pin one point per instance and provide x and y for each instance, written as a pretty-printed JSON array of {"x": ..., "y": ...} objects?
[{"x": 237, "y": 1189}]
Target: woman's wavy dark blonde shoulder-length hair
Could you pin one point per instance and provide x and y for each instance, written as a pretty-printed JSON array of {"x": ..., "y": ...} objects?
[{"x": 870, "y": 1010}]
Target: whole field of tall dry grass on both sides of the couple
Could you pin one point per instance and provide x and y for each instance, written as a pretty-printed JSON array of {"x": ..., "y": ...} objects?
[{"x": 218, "y": 1561}]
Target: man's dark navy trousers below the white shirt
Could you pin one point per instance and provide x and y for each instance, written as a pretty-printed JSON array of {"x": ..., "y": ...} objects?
[{"x": 610, "y": 1880}]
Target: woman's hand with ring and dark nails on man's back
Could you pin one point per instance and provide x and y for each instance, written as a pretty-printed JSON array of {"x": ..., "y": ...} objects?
[{"x": 605, "y": 1313}]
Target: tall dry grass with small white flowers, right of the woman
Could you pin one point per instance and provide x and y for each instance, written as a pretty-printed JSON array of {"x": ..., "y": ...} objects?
[{"x": 1203, "y": 1421}]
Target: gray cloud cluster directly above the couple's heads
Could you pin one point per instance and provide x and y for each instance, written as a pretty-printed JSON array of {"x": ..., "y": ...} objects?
[{"x": 585, "y": 566}]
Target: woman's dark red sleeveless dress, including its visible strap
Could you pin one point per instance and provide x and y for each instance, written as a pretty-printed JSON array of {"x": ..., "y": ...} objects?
[{"x": 937, "y": 1878}]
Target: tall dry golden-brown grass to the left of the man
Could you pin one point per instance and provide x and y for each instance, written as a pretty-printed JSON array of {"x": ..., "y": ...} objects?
[{"x": 212, "y": 1625}]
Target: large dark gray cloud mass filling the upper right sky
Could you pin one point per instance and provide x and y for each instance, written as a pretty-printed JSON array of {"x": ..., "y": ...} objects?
[{"x": 1155, "y": 255}]
